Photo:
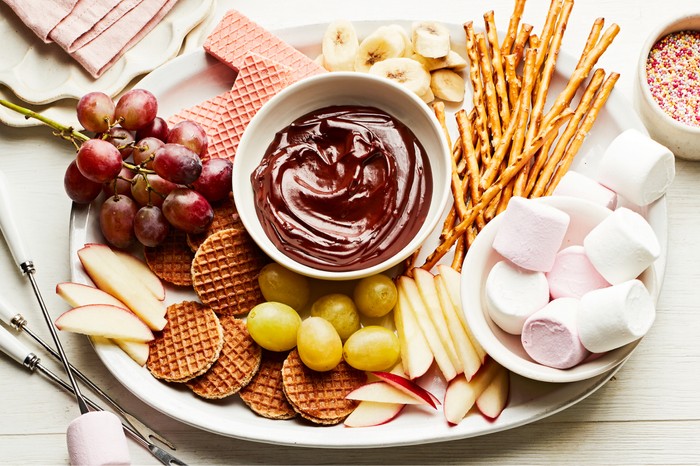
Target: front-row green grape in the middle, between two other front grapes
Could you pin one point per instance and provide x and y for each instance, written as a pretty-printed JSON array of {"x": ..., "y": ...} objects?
[{"x": 319, "y": 344}]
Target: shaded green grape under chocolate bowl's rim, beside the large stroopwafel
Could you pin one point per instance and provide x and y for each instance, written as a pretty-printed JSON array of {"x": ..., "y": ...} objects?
[{"x": 284, "y": 286}]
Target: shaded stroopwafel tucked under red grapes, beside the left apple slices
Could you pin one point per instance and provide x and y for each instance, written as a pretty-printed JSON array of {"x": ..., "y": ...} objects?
[{"x": 171, "y": 260}]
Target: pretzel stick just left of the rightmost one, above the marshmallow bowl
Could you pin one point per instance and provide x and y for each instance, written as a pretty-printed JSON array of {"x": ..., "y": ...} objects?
[{"x": 541, "y": 175}]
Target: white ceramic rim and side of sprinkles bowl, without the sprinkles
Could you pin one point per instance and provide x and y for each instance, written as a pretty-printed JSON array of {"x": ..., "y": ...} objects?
[{"x": 682, "y": 139}]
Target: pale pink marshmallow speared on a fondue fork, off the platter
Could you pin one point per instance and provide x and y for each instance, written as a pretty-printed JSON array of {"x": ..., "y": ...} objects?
[{"x": 97, "y": 438}]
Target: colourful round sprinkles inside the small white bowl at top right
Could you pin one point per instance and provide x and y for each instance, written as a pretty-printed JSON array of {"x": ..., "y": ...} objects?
[{"x": 673, "y": 75}]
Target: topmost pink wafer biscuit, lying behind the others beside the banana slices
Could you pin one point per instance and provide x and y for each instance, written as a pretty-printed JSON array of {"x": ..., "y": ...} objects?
[{"x": 236, "y": 35}]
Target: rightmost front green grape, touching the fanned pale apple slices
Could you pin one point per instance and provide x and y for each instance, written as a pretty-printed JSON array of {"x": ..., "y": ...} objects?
[{"x": 372, "y": 348}]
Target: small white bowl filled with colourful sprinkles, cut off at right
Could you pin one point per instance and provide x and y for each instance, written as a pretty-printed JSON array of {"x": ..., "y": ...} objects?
[{"x": 667, "y": 94}]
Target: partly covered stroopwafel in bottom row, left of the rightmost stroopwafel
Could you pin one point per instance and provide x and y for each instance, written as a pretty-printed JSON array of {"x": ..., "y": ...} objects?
[{"x": 264, "y": 394}]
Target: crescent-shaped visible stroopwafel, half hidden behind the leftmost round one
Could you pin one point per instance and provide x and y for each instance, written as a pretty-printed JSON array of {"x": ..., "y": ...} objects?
[{"x": 238, "y": 362}]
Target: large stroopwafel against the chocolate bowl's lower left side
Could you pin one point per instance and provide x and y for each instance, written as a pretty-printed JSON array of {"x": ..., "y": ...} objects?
[{"x": 225, "y": 272}]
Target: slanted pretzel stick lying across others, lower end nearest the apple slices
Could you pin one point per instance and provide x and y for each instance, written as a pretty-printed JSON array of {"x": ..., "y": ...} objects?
[{"x": 495, "y": 188}]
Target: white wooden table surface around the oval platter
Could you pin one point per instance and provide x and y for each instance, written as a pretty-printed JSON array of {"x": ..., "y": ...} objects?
[{"x": 649, "y": 413}]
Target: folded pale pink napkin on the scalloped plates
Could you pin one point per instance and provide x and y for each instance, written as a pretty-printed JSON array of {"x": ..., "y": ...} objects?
[{"x": 96, "y": 33}]
